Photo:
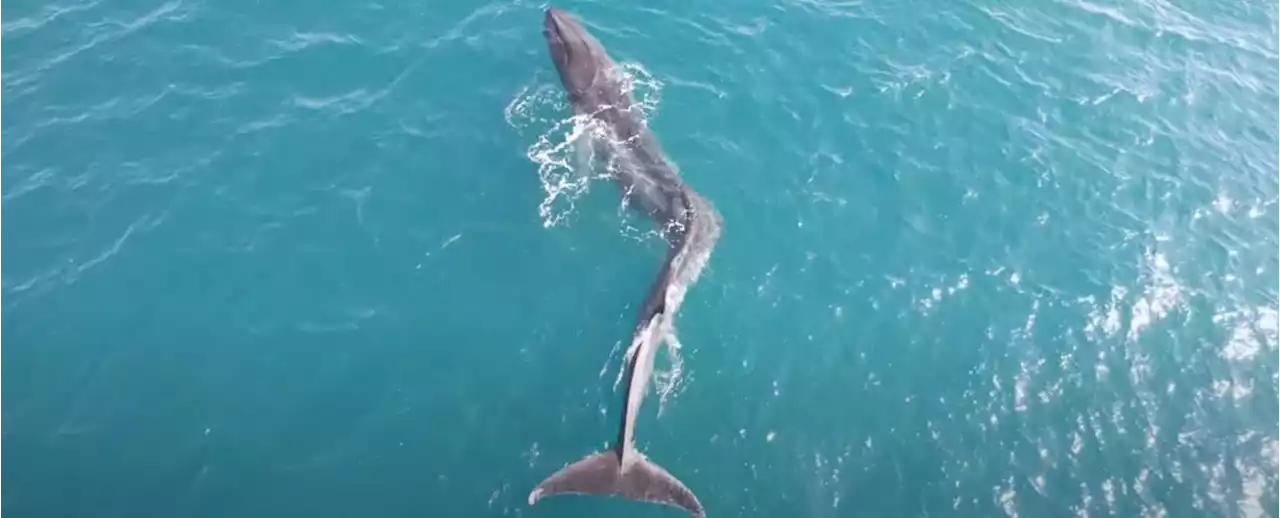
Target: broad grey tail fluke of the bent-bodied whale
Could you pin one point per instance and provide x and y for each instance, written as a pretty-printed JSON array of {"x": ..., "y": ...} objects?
[{"x": 604, "y": 475}]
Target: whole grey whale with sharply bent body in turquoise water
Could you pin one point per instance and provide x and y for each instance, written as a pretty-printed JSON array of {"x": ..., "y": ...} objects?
[{"x": 691, "y": 226}]
